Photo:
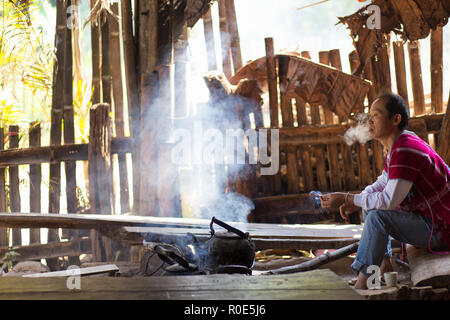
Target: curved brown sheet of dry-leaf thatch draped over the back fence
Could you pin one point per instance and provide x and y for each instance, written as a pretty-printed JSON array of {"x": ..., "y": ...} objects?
[{"x": 312, "y": 82}]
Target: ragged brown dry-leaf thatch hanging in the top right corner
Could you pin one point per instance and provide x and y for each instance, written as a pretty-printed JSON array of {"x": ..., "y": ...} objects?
[{"x": 411, "y": 19}]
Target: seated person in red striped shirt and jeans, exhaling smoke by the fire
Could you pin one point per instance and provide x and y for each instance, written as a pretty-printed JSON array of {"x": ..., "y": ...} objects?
[{"x": 410, "y": 201}]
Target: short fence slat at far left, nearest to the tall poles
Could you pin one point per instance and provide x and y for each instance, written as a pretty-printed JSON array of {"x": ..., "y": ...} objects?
[{"x": 35, "y": 180}]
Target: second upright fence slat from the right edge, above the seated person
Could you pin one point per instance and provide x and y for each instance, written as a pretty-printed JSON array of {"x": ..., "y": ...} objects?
[{"x": 416, "y": 77}]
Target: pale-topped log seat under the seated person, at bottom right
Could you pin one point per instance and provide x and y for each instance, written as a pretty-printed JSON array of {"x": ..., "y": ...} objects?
[{"x": 427, "y": 268}]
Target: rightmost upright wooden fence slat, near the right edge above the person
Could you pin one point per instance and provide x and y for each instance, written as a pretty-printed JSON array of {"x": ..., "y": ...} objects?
[{"x": 437, "y": 89}]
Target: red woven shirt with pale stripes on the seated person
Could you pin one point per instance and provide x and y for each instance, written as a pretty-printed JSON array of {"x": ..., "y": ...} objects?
[{"x": 414, "y": 160}]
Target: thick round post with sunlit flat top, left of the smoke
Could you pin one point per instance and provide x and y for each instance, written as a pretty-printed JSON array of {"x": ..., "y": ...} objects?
[{"x": 100, "y": 182}]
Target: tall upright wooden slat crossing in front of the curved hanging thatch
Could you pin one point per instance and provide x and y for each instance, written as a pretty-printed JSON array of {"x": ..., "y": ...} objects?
[{"x": 272, "y": 82}]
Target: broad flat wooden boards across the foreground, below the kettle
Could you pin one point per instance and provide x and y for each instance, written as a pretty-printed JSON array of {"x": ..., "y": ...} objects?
[{"x": 312, "y": 285}]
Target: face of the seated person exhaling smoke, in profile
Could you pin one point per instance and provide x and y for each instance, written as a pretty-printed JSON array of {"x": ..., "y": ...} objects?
[{"x": 380, "y": 124}]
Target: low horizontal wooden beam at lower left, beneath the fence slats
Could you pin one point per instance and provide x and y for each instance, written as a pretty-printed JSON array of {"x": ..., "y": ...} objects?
[{"x": 37, "y": 251}]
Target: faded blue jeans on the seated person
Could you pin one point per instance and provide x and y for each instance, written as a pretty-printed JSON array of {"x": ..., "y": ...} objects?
[{"x": 380, "y": 225}]
